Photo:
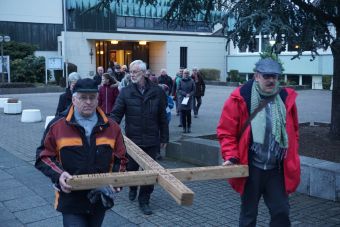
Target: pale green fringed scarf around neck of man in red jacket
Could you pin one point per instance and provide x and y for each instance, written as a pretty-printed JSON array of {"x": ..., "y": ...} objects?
[{"x": 278, "y": 114}]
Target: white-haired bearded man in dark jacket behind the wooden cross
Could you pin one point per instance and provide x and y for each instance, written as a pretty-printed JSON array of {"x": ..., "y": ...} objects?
[{"x": 144, "y": 106}]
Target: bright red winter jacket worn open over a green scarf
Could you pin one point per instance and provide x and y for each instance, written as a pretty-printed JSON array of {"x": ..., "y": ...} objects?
[{"x": 234, "y": 115}]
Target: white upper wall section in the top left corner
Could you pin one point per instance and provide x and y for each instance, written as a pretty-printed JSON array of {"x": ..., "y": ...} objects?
[{"x": 35, "y": 11}]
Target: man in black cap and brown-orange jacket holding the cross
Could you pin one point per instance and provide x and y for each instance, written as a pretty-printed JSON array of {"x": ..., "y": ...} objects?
[{"x": 83, "y": 141}]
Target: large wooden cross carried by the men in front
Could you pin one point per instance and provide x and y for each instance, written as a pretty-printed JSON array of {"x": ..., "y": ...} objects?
[{"x": 169, "y": 179}]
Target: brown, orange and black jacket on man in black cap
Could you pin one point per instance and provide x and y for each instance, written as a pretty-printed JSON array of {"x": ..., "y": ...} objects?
[{"x": 64, "y": 147}]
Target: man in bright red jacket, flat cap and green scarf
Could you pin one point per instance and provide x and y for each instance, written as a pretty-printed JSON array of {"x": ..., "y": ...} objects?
[{"x": 268, "y": 143}]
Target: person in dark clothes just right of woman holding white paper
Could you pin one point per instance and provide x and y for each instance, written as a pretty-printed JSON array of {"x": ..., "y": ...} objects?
[{"x": 199, "y": 90}]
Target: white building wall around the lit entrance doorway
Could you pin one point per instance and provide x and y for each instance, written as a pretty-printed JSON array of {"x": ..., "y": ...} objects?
[{"x": 203, "y": 51}]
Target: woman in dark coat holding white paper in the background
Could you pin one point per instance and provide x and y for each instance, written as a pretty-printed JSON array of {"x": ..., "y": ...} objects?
[{"x": 186, "y": 89}]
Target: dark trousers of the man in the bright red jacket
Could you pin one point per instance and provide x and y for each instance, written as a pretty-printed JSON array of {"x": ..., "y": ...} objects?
[{"x": 270, "y": 185}]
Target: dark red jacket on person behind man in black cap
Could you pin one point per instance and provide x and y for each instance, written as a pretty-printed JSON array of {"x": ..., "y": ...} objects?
[{"x": 107, "y": 98}]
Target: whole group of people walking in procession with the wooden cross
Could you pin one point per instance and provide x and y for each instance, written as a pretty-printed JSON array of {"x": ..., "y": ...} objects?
[{"x": 258, "y": 127}]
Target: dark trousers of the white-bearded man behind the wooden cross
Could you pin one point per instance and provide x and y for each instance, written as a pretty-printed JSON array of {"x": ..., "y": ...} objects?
[{"x": 144, "y": 191}]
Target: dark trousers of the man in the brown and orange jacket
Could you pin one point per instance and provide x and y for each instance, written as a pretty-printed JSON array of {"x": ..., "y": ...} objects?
[{"x": 84, "y": 220}]
